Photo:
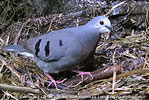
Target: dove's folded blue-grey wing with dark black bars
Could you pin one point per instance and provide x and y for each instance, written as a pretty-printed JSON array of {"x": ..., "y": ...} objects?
[{"x": 52, "y": 46}]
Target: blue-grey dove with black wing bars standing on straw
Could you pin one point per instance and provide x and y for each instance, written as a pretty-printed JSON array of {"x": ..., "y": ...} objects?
[{"x": 64, "y": 49}]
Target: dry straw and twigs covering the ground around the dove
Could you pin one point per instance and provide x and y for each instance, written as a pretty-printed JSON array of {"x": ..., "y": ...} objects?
[{"x": 120, "y": 66}]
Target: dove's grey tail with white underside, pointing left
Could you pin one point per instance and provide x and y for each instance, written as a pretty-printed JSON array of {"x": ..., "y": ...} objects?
[{"x": 17, "y": 48}]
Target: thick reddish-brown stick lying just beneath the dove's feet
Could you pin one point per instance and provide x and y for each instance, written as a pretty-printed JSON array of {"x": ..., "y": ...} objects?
[{"x": 97, "y": 75}]
